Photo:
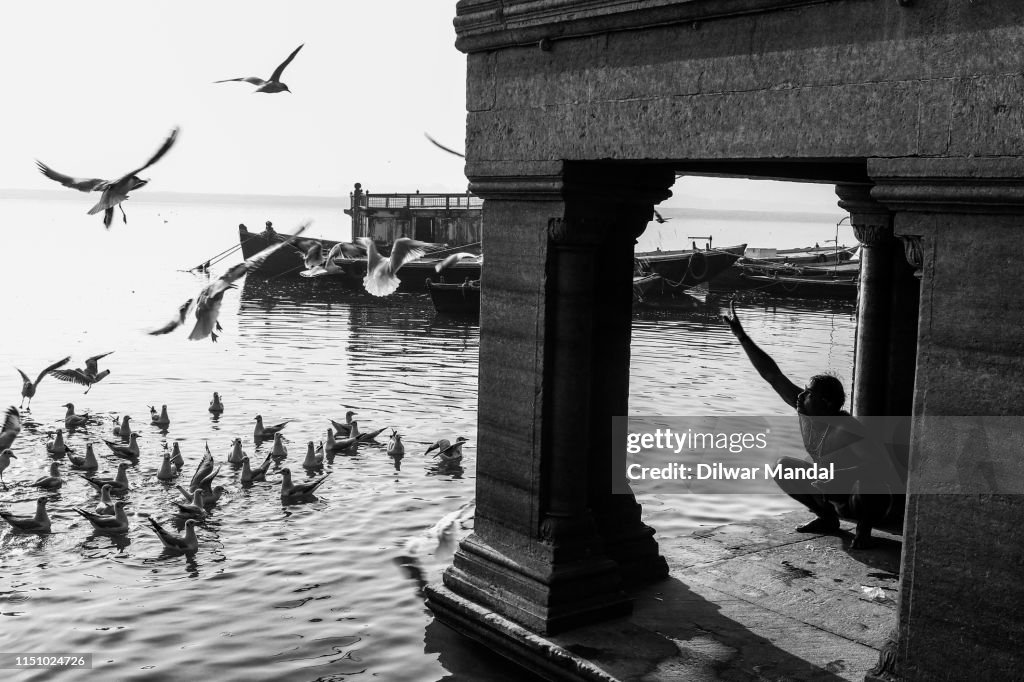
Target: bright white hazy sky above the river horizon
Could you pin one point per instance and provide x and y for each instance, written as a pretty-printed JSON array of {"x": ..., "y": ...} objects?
[{"x": 93, "y": 91}]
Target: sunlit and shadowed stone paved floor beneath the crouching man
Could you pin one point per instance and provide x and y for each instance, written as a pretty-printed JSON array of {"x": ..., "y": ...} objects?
[{"x": 746, "y": 602}]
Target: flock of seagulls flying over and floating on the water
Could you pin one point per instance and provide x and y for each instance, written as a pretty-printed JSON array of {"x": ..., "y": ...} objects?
[{"x": 200, "y": 497}]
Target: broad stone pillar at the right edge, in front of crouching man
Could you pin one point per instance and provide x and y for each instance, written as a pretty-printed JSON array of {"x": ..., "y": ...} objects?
[{"x": 962, "y": 601}]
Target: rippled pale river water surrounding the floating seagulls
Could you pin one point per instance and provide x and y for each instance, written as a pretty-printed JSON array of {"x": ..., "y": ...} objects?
[{"x": 300, "y": 592}]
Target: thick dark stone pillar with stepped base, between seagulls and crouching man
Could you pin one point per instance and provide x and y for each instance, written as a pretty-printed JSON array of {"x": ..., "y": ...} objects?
[{"x": 554, "y": 363}]
